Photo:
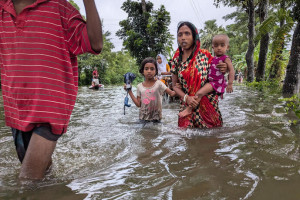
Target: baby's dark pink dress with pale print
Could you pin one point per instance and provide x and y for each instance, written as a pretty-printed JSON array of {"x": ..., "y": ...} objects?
[{"x": 215, "y": 77}]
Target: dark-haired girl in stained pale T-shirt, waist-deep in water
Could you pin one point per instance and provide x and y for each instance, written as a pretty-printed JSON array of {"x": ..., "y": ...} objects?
[{"x": 149, "y": 92}]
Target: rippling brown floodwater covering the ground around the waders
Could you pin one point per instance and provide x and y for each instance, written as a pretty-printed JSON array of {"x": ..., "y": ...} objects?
[{"x": 108, "y": 155}]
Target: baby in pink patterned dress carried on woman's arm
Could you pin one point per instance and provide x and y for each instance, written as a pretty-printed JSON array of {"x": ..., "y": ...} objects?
[{"x": 217, "y": 81}]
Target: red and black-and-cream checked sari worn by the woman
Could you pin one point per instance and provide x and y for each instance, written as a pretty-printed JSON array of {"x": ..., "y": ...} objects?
[{"x": 192, "y": 75}]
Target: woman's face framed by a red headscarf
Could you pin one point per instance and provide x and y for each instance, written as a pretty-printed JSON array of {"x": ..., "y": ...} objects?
[{"x": 185, "y": 37}]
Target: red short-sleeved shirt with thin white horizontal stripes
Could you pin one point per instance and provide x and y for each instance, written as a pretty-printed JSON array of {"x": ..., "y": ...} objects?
[{"x": 39, "y": 71}]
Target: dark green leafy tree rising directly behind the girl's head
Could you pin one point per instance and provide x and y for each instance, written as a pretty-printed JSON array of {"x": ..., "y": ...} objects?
[{"x": 145, "y": 32}]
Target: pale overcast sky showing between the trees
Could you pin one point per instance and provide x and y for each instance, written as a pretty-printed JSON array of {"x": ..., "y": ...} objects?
[{"x": 195, "y": 11}]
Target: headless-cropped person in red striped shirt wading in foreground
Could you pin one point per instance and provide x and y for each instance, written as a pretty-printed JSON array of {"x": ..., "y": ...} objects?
[{"x": 39, "y": 44}]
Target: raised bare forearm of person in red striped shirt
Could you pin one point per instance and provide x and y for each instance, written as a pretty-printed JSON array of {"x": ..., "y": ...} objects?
[{"x": 94, "y": 26}]
